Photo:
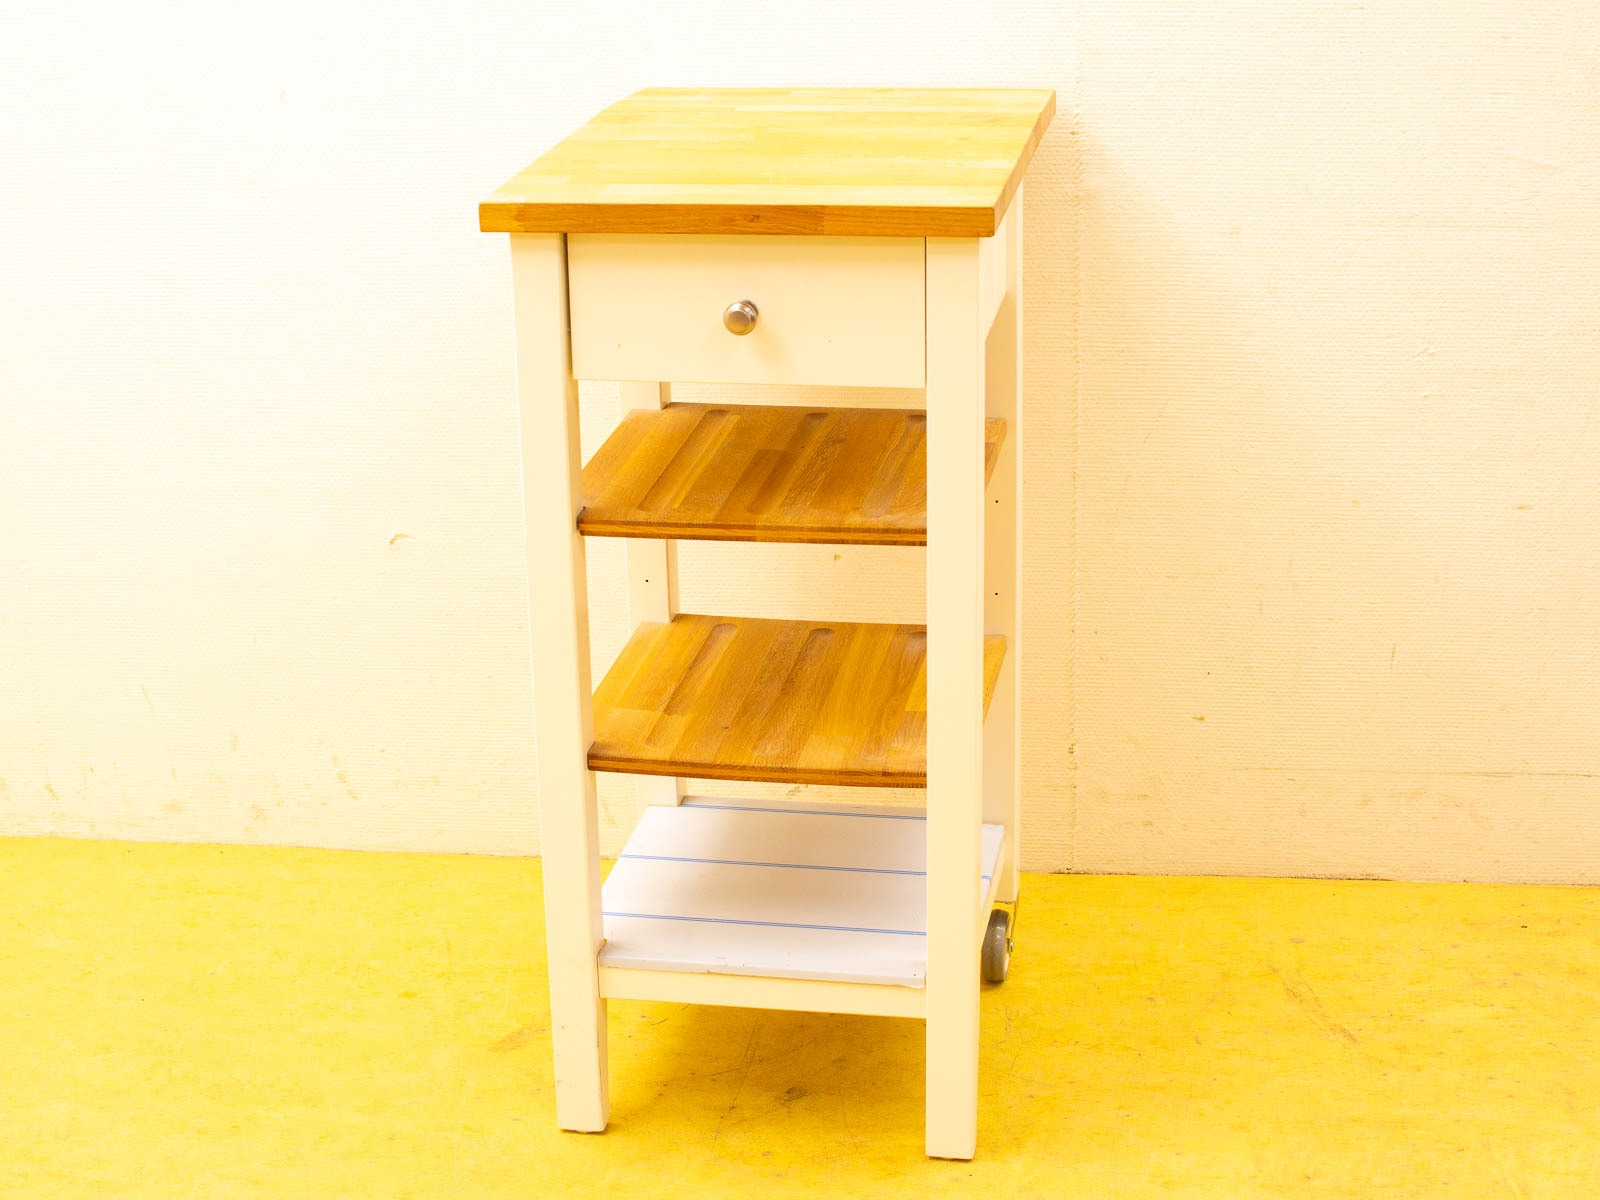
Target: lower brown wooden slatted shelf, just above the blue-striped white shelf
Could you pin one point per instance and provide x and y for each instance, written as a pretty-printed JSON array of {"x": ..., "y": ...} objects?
[{"x": 783, "y": 702}]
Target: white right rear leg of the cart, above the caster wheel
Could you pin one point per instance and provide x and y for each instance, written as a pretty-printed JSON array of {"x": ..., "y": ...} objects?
[{"x": 1002, "y": 558}]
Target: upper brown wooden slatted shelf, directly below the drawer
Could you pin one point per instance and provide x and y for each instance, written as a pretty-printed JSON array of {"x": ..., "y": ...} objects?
[{"x": 764, "y": 473}]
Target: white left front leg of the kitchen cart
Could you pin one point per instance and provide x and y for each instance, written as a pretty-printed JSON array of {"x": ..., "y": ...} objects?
[{"x": 562, "y": 697}]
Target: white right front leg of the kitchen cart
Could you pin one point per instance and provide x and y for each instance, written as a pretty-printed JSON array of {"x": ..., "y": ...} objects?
[{"x": 956, "y": 628}]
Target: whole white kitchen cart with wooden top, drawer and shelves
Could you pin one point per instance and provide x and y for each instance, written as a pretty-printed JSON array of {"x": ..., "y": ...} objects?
[{"x": 839, "y": 238}]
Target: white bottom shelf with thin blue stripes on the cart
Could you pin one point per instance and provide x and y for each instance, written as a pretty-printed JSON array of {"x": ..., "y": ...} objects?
[{"x": 729, "y": 887}]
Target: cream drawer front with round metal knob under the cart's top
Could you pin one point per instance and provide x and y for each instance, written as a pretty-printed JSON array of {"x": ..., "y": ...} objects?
[{"x": 830, "y": 310}]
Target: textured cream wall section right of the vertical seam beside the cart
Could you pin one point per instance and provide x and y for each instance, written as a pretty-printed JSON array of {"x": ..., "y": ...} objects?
[{"x": 1338, "y": 316}]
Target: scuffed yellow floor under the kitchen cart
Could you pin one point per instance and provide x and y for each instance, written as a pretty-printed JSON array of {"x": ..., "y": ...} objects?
[{"x": 201, "y": 1022}]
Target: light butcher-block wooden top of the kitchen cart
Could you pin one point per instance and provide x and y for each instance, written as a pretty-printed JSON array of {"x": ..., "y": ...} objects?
[{"x": 873, "y": 162}]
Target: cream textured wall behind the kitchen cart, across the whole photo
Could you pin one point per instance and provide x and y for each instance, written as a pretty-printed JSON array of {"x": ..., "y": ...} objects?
[{"x": 1314, "y": 297}]
